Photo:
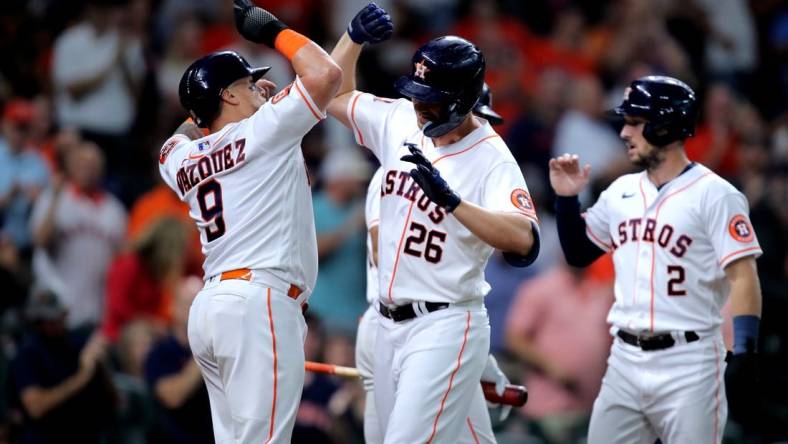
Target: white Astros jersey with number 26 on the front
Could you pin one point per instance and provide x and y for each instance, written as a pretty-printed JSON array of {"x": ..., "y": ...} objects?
[{"x": 424, "y": 253}]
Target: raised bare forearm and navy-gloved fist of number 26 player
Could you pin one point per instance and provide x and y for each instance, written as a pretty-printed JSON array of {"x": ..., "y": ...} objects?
[{"x": 371, "y": 25}]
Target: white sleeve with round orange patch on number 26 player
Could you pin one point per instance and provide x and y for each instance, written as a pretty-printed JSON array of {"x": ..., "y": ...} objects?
[{"x": 505, "y": 190}]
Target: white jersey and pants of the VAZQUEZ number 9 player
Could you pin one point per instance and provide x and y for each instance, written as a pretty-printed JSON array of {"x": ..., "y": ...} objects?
[{"x": 248, "y": 192}]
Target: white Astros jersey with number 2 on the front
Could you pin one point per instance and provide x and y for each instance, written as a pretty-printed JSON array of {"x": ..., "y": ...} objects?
[{"x": 670, "y": 247}]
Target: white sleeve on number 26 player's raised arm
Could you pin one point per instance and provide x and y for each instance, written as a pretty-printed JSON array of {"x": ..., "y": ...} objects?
[{"x": 373, "y": 118}]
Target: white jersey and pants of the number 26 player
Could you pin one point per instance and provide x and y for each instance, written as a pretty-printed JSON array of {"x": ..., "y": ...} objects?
[{"x": 427, "y": 370}]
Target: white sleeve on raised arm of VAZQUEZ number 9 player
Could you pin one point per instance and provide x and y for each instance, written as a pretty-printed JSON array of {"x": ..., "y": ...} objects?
[{"x": 284, "y": 120}]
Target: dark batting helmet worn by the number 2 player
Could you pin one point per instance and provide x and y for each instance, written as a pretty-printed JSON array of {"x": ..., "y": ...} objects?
[{"x": 668, "y": 105}]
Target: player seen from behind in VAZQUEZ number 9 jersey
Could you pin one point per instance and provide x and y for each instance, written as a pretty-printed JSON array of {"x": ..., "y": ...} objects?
[{"x": 247, "y": 190}]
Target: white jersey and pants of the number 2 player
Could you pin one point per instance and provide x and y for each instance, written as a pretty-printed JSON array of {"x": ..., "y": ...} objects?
[{"x": 670, "y": 247}]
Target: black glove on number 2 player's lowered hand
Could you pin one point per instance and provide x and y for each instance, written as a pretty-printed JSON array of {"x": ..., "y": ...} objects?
[{"x": 742, "y": 388}]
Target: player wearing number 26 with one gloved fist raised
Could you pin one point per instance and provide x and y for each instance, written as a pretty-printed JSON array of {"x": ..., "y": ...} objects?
[{"x": 433, "y": 332}]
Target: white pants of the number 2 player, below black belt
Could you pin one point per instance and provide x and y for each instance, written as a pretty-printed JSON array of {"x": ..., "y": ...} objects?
[{"x": 676, "y": 394}]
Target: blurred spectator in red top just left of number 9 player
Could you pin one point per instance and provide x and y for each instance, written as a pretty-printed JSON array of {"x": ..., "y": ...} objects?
[{"x": 141, "y": 281}]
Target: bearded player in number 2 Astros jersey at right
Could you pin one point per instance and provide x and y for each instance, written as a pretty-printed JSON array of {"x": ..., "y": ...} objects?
[{"x": 681, "y": 242}]
